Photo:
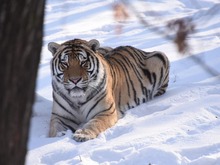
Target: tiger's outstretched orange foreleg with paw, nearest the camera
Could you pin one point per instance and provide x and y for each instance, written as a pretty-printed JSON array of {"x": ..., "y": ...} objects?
[{"x": 95, "y": 126}]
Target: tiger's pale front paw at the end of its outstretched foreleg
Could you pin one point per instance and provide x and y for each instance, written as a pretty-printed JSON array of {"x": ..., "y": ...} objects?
[{"x": 82, "y": 135}]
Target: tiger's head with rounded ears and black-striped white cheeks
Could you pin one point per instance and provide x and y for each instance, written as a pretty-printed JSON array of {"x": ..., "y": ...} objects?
[{"x": 75, "y": 66}]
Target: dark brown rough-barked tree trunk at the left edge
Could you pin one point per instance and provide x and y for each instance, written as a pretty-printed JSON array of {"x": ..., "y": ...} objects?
[{"x": 21, "y": 31}]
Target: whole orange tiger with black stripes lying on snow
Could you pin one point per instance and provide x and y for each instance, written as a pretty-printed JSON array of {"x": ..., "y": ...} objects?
[{"x": 93, "y": 89}]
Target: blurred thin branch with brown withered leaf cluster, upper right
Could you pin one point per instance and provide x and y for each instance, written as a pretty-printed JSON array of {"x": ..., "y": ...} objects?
[{"x": 183, "y": 27}]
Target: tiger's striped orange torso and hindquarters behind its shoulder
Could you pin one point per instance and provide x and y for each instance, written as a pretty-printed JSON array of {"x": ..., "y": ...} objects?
[{"x": 138, "y": 76}]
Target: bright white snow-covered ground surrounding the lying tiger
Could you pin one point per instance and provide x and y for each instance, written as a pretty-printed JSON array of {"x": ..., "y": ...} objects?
[{"x": 179, "y": 128}]
